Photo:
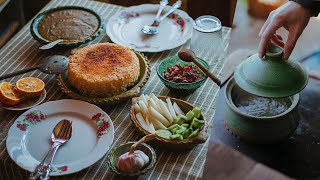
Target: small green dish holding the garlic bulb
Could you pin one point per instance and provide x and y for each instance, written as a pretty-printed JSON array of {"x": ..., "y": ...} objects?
[{"x": 123, "y": 148}]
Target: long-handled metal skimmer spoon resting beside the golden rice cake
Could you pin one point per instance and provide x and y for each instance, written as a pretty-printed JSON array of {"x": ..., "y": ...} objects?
[{"x": 51, "y": 65}]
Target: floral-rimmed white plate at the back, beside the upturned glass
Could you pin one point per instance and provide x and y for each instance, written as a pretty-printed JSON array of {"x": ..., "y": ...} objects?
[{"x": 124, "y": 28}]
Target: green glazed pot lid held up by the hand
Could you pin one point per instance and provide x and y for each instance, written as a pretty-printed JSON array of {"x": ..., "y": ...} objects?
[{"x": 271, "y": 76}]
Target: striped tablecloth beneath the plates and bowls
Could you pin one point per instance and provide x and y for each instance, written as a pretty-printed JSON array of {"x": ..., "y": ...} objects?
[{"x": 22, "y": 51}]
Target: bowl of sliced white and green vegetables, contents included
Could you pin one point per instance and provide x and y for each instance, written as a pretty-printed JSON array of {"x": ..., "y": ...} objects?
[{"x": 177, "y": 123}]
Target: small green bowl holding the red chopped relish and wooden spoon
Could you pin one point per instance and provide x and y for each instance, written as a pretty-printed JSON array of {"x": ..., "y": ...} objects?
[{"x": 179, "y": 88}]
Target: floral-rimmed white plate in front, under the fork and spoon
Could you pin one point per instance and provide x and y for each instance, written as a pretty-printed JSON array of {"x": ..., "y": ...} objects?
[{"x": 29, "y": 138}]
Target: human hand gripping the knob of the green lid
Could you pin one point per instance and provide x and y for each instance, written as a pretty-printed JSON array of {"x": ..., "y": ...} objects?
[{"x": 293, "y": 17}]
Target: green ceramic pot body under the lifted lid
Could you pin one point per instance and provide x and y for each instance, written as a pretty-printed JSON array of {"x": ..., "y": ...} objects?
[{"x": 259, "y": 130}]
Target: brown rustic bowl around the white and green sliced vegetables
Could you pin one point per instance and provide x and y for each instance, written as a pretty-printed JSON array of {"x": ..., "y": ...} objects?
[{"x": 174, "y": 144}]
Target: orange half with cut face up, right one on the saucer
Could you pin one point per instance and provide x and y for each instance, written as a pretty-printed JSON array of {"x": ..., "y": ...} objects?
[{"x": 30, "y": 86}]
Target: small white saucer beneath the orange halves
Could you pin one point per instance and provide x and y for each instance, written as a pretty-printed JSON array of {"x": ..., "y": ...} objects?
[{"x": 27, "y": 104}]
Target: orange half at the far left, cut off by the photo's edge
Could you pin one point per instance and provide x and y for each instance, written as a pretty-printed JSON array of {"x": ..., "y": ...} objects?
[{"x": 8, "y": 94}]
